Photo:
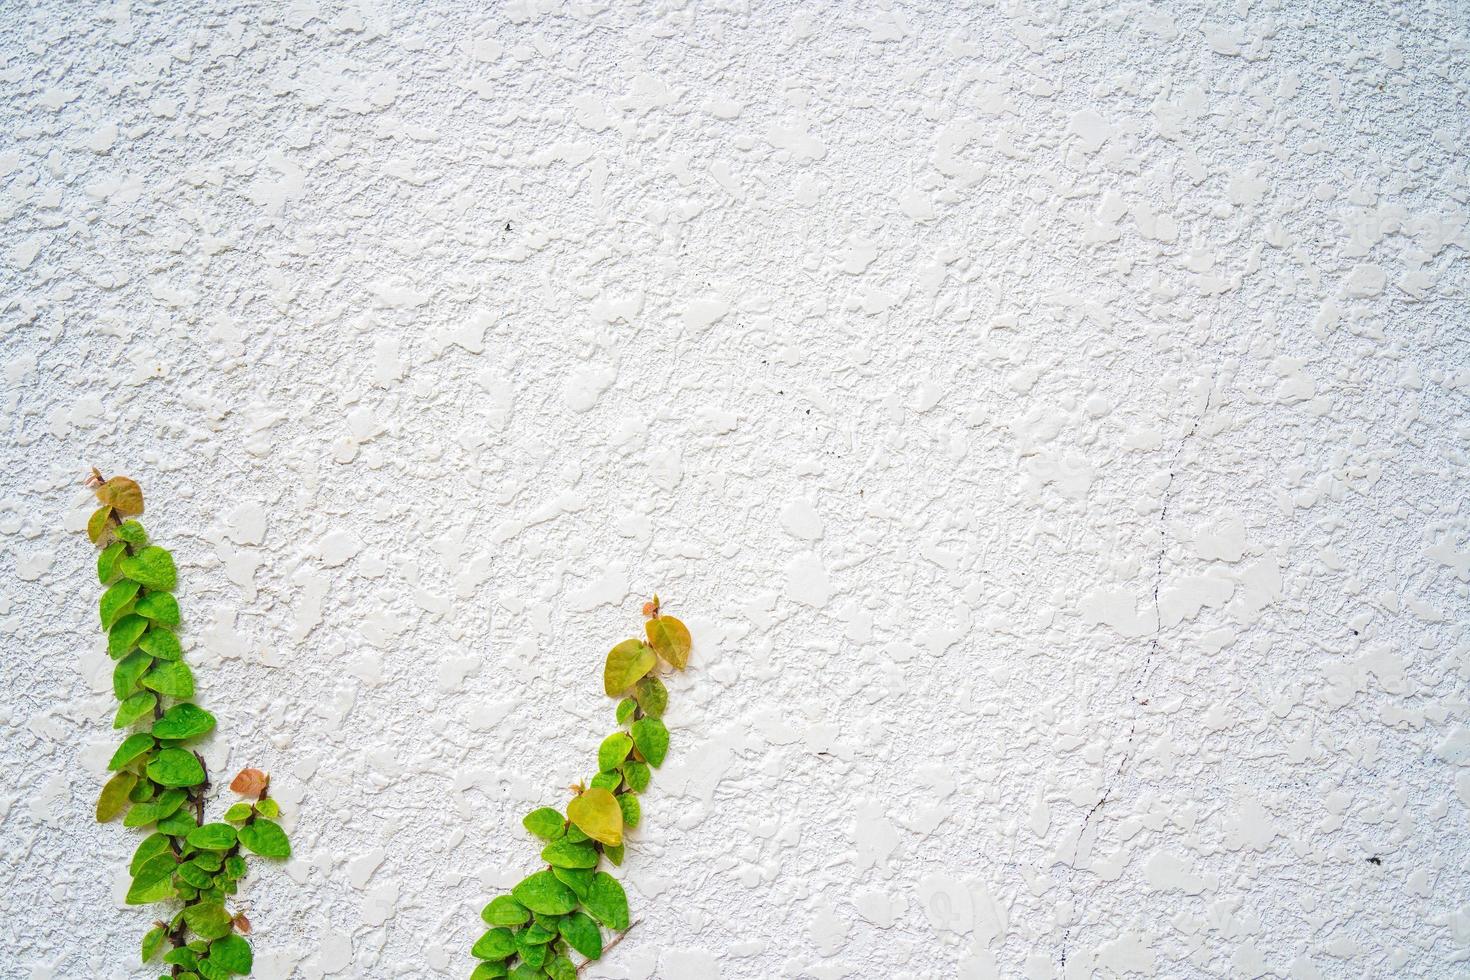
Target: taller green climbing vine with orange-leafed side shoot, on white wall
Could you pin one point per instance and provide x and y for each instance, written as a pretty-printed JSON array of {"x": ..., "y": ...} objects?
[{"x": 158, "y": 779}]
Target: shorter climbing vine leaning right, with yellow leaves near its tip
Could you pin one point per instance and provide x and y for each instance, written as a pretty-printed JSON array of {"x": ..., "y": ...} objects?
[{"x": 565, "y": 907}]
